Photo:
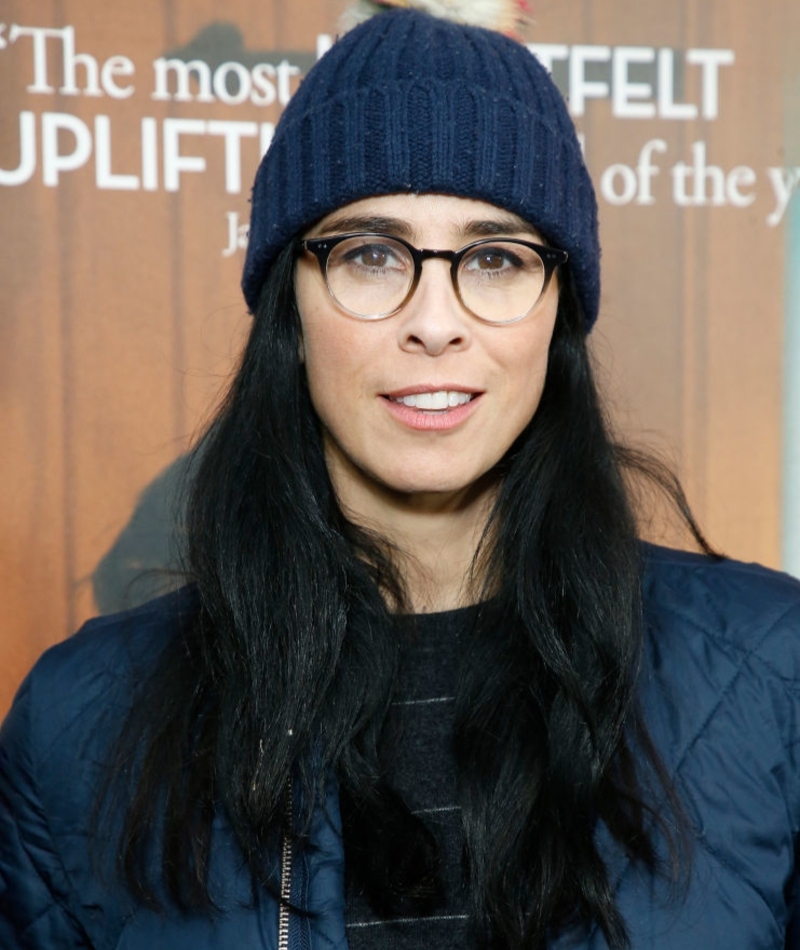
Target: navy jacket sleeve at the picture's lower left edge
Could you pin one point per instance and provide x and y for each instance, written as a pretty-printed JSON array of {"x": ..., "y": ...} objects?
[{"x": 34, "y": 891}]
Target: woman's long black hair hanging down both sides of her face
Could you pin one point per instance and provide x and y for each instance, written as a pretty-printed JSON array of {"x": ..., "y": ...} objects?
[{"x": 287, "y": 669}]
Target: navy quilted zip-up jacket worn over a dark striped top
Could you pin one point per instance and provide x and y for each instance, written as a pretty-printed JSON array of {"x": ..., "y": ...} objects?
[{"x": 720, "y": 690}]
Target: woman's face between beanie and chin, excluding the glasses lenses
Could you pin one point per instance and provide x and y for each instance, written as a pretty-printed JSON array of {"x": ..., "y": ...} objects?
[{"x": 361, "y": 373}]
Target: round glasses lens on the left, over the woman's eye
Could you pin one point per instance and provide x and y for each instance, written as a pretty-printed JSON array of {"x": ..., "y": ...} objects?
[{"x": 369, "y": 275}]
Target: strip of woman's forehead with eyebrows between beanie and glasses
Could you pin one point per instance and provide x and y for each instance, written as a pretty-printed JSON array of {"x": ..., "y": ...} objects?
[{"x": 425, "y": 218}]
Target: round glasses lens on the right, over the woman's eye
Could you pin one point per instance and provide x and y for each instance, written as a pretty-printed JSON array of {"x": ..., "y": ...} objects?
[{"x": 500, "y": 281}]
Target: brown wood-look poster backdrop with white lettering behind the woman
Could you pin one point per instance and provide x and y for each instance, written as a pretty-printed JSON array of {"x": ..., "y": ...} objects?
[{"x": 129, "y": 137}]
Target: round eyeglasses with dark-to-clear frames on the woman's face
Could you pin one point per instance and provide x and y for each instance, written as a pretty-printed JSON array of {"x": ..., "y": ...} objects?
[{"x": 372, "y": 275}]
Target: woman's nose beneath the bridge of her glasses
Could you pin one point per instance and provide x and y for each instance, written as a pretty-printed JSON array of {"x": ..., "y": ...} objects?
[{"x": 434, "y": 320}]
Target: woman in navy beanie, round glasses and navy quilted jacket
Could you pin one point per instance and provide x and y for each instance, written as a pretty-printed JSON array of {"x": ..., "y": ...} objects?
[{"x": 426, "y": 687}]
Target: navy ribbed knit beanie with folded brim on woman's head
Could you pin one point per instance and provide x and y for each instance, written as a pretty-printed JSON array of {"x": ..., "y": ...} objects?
[{"x": 407, "y": 102}]
